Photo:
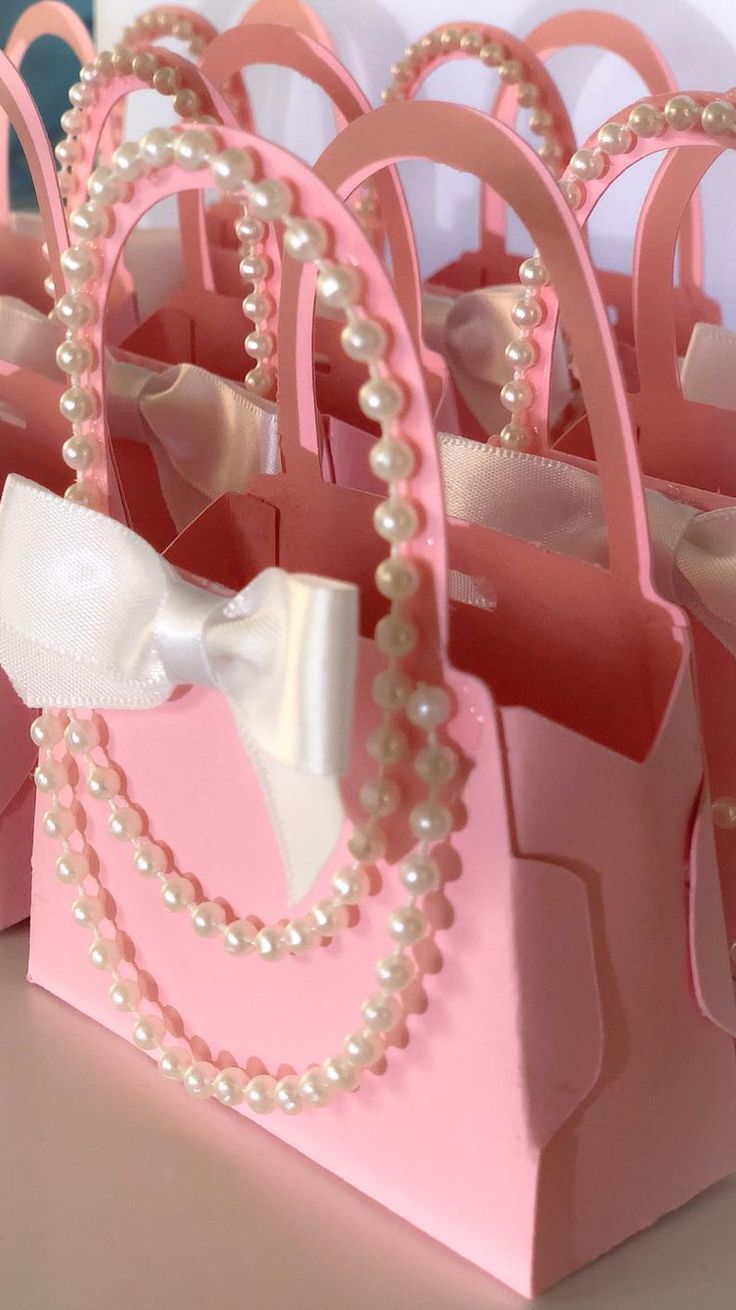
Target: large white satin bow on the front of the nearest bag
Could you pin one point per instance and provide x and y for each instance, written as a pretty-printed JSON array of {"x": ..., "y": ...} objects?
[{"x": 91, "y": 616}]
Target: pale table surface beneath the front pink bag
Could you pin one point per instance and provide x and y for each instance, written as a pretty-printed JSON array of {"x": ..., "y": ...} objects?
[{"x": 117, "y": 1193}]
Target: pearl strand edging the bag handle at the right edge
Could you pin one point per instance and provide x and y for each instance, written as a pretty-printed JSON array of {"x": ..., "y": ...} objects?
[{"x": 581, "y": 187}]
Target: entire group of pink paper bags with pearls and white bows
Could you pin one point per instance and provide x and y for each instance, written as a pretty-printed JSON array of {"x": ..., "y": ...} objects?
[{"x": 329, "y": 669}]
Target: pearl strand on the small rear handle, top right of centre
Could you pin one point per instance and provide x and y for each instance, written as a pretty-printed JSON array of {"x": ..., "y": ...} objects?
[{"x": 484, "y": 44}]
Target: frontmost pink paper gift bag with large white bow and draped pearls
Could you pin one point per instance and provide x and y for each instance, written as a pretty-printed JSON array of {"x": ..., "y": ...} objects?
[{"x": 547, "y": 1081}]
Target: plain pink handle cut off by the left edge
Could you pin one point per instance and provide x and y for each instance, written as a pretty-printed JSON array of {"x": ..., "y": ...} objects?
[{"x": 22, "y": 115}]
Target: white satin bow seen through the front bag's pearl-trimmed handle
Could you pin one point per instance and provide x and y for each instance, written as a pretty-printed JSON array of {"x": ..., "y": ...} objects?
[{"x": 208, "y": 434}]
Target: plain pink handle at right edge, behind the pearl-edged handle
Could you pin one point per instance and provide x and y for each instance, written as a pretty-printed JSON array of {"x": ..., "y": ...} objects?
[{"x": 666, "y": 208}]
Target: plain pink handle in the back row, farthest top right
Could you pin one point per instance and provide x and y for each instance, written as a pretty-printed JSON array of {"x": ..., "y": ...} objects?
[{"x": 621, "y": 37}]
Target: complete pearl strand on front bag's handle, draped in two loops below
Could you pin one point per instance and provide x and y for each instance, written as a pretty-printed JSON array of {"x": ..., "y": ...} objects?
[{"x": 397, "y": 578}]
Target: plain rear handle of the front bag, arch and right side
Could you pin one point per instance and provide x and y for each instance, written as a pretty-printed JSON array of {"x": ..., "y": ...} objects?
[{"x": 468, "y": 141}]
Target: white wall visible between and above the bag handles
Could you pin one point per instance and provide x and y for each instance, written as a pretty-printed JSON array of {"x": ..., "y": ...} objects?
[{"x": 697, "y": 37}]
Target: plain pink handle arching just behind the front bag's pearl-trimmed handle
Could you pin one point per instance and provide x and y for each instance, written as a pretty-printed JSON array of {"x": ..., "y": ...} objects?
[{"x": 268, "y": 44}]
